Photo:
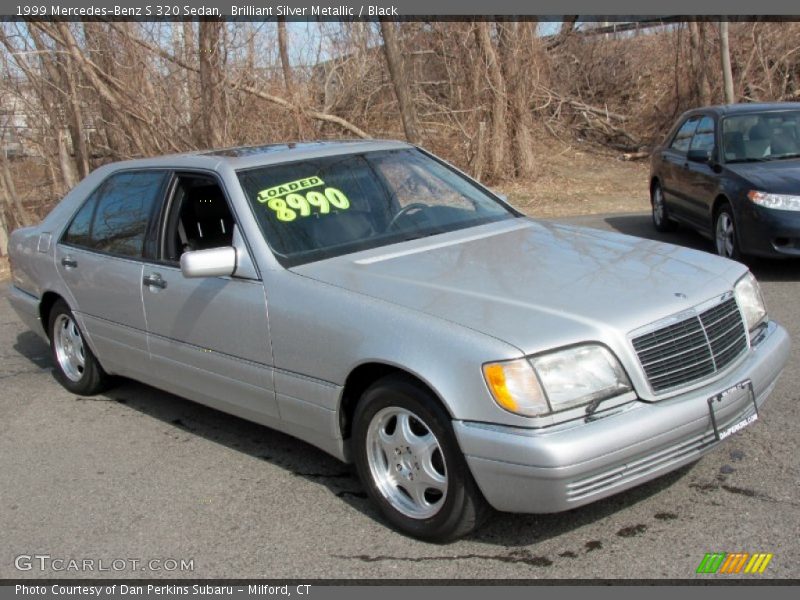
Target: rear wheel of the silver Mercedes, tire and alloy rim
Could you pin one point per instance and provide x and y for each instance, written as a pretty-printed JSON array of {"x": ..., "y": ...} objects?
[{"x": 76, "y": 368}]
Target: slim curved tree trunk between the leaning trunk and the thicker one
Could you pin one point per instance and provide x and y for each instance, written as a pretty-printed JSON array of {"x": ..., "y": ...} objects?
[{"x": 499, "y": 99}]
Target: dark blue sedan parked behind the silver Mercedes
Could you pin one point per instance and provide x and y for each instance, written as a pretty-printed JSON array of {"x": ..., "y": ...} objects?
[{"x": 732, "y": 173}]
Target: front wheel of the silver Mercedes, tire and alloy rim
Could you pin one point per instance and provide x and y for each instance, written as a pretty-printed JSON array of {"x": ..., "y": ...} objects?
[{"x": 408, "y": 458}]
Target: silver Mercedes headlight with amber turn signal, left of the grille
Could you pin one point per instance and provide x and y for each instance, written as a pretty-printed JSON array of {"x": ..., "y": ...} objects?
[{"x": 556, "y": 381}]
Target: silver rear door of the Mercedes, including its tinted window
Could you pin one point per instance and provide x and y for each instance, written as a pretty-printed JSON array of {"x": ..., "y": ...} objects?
[{"x": 100, "y": 259}]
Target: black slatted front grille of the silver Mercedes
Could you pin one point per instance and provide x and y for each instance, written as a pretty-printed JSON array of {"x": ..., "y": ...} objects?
[{"x": 693, "y": 348}]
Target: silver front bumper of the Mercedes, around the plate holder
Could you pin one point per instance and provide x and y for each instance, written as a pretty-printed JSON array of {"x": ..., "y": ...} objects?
[{"x": 559, "y": 468}]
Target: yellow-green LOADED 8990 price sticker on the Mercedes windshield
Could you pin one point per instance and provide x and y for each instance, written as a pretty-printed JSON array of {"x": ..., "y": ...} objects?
[{"x": 302, "y": 197}]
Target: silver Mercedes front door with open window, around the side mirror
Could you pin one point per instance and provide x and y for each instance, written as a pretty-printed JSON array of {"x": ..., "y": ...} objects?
[{"x": 209, "y": 336}]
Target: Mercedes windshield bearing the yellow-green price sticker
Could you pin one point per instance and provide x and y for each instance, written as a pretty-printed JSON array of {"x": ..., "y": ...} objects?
[{"x": 324, "y": 207}]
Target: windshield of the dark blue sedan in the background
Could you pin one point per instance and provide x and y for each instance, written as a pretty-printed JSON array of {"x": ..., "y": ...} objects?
[{"x": 761, "y": 136}]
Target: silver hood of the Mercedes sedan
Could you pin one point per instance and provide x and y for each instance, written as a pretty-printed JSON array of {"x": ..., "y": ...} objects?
[{"x": 534, "y": 285}]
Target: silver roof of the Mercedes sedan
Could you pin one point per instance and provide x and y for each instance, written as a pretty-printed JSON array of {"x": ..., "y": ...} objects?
[{"x": 246, "y": 157}]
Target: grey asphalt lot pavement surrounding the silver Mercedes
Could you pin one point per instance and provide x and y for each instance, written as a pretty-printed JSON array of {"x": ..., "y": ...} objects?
[{"x": 141, "y": 474}]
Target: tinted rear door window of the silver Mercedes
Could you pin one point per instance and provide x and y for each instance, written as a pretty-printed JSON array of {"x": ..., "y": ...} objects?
[{"x": 114, "y": 219}]
